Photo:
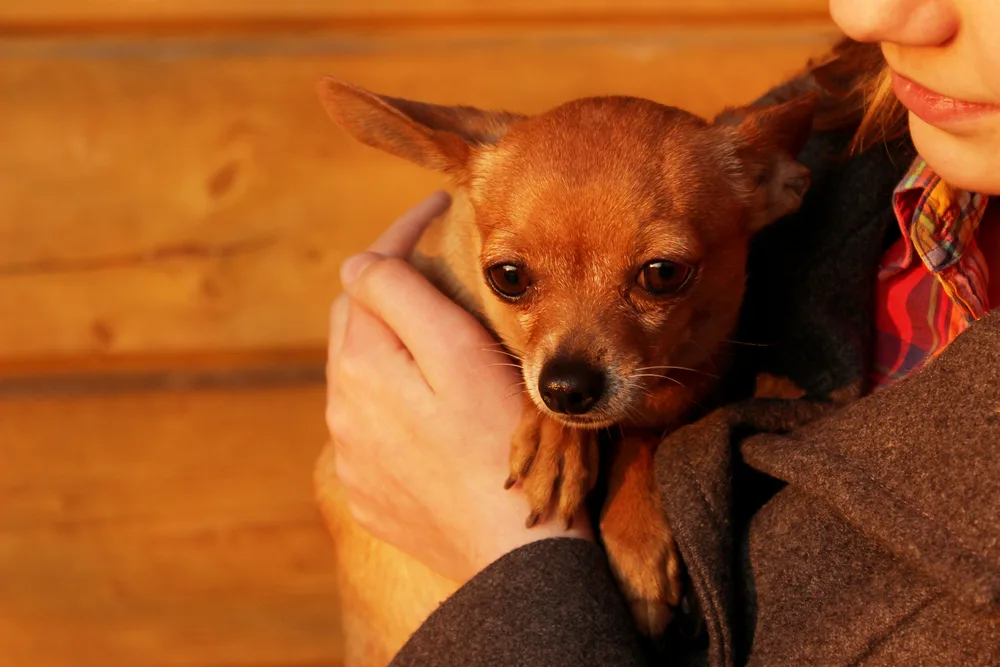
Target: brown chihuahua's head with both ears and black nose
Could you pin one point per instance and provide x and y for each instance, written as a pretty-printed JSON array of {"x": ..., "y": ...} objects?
[{"x": 612, "y": 232}]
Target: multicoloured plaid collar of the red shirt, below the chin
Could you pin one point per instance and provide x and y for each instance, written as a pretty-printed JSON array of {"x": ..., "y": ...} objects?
[{"x": 939, "y": 220}]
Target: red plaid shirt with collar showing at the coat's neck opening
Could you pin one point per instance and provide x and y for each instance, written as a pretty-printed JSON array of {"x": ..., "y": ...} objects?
[{"x": 932, "y": 282}]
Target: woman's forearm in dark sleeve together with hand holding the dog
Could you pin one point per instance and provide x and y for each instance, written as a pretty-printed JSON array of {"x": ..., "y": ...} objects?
[{"x": 421, "y": 422}]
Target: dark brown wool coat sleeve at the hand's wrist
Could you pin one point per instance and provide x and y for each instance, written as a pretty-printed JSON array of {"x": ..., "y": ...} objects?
[{"x": 552, "y": 603}]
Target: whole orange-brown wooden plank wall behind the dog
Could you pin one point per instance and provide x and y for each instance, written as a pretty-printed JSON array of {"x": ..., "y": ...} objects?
[{"x": 174, "y": 206}]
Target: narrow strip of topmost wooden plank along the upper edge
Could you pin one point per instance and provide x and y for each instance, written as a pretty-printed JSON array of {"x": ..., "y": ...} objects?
[{"x": 54, "y": 13}]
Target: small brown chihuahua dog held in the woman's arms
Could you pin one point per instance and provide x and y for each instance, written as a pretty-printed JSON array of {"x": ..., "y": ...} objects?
[{"x": 604, "y": 243}]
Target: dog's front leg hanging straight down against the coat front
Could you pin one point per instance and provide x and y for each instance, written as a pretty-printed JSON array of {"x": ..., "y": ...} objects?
[{"x": 639, "y": 542}]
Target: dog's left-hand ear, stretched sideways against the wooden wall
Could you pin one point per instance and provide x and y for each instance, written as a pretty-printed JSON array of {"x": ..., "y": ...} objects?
[{"x": 432, "y": 136}]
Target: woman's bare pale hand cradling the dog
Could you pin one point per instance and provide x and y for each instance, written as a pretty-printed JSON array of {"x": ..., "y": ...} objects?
[{"x": 421, "y": 408}]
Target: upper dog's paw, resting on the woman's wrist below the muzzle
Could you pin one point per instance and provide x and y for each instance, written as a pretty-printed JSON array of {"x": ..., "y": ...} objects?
[{"x": 556, "y": 465}]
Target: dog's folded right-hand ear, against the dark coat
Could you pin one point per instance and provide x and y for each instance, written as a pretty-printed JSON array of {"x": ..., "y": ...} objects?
[{"x": 768, "y": 141}]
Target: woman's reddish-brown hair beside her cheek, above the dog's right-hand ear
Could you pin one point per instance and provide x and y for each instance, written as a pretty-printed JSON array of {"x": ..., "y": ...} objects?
[{"x": 854, "y": 87}]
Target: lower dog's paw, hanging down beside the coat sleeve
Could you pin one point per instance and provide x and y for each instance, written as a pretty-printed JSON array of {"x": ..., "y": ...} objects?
[{"x": 647, "y": 566}]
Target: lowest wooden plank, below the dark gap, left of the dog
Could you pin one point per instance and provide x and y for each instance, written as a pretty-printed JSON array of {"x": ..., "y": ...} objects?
[{"x": 164, "y": 529}]
